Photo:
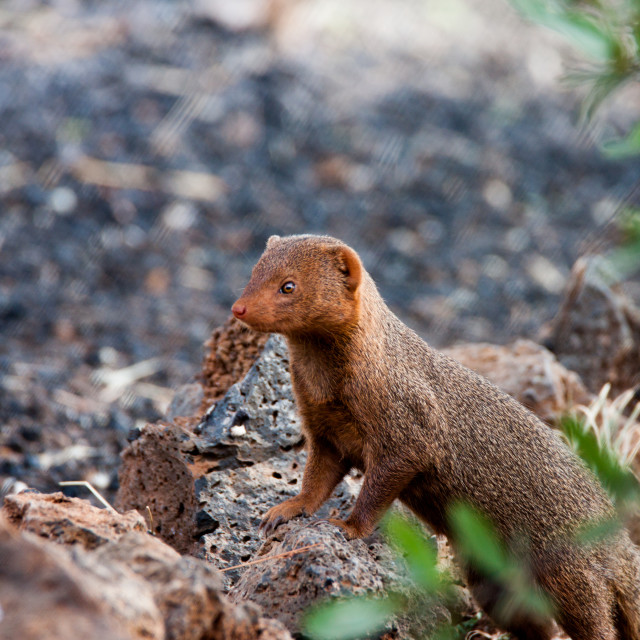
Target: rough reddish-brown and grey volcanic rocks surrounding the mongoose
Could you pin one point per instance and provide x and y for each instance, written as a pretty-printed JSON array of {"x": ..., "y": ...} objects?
[{"x": 197, "y": 484}]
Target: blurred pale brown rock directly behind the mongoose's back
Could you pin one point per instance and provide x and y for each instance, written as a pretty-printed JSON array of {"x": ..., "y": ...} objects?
[{"x": 528, "y": 372}]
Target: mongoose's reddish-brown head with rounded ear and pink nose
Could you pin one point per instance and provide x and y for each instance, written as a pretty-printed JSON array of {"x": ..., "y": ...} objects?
[{"x": 303, "y": 285}]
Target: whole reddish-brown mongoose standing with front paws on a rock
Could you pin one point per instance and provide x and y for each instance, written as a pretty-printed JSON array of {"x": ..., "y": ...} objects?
[{"x": 428, "y": 431}]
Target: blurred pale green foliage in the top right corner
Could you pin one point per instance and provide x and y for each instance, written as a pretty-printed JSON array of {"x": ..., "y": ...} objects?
[{"x": 607, "y": 34}]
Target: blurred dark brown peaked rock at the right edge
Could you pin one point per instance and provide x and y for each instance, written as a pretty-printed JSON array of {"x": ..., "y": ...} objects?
[{"x": 597, "y": 330}]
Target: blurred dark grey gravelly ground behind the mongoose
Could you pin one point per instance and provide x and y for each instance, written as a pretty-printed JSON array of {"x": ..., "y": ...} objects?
[{"x": 149, "y": 148}]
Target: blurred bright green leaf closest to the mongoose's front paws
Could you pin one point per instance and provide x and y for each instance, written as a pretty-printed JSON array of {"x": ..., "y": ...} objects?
[{"x": 420, "y": 553}]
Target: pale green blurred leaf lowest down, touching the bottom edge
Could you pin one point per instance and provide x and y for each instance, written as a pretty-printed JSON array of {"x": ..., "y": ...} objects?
[{"x": 348, "y": 619}]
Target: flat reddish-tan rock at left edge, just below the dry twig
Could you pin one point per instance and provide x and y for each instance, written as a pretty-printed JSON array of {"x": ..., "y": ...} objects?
[{"x": 68, "y": 520}]
